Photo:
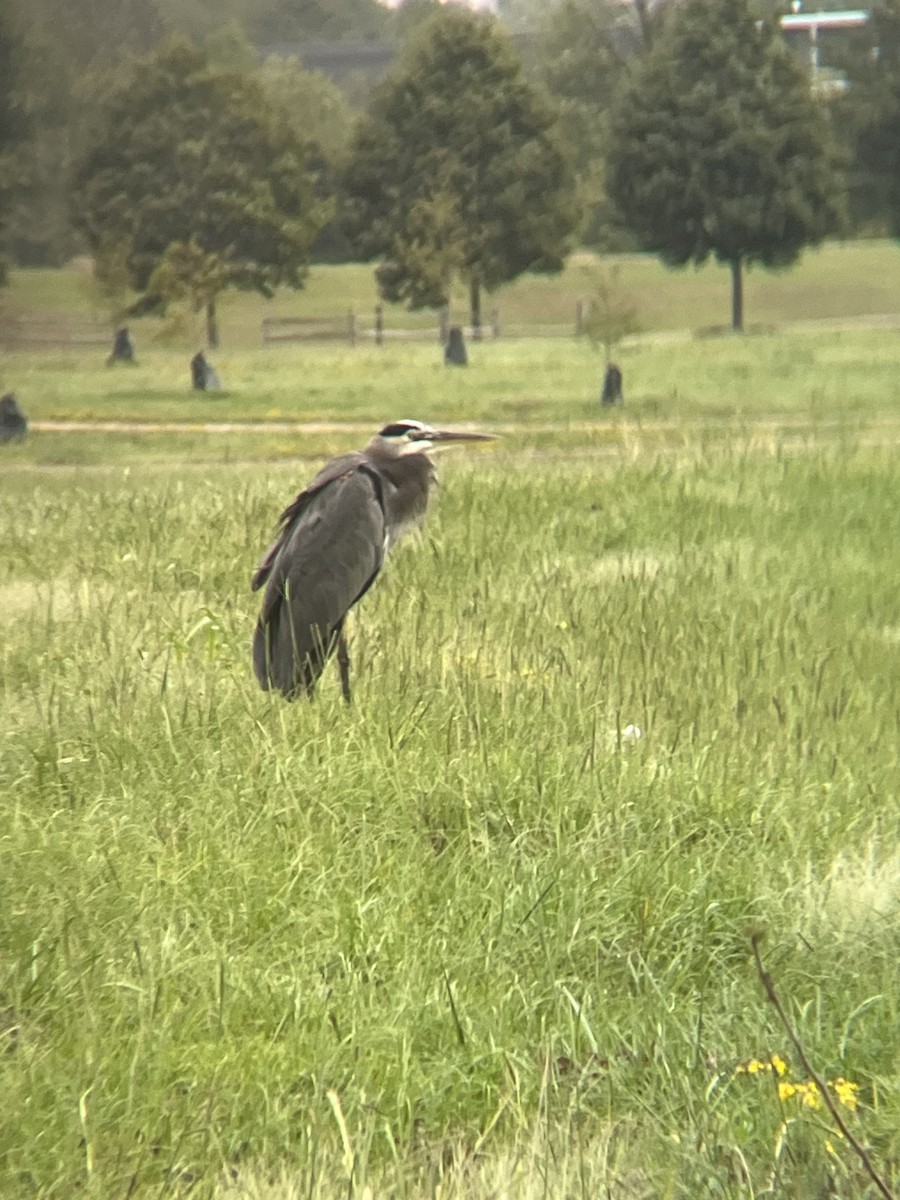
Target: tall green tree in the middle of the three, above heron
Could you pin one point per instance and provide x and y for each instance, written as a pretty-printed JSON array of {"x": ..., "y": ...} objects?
[{"x": 458, "y": 171}]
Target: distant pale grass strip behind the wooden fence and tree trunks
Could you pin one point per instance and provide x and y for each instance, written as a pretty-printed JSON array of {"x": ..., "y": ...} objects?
[{"x": 836, "y": 283}]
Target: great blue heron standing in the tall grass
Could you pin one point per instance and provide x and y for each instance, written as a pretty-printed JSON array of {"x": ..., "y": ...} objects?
[{"x": 331, "y": 548}]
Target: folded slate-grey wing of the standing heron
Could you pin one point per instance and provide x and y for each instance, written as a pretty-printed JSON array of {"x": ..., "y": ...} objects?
[{"x": 331, "y": 550}]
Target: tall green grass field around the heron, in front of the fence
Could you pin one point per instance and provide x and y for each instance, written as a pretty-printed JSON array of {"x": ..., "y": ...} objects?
[{"x": 473, "y": 937}]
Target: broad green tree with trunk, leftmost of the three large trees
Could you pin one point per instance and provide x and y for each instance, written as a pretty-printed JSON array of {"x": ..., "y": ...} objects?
[{"x": 195, "y": 157}]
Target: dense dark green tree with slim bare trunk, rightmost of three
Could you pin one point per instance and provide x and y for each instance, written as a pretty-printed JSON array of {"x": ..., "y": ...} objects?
[{"x": 719, "y": 149}]
